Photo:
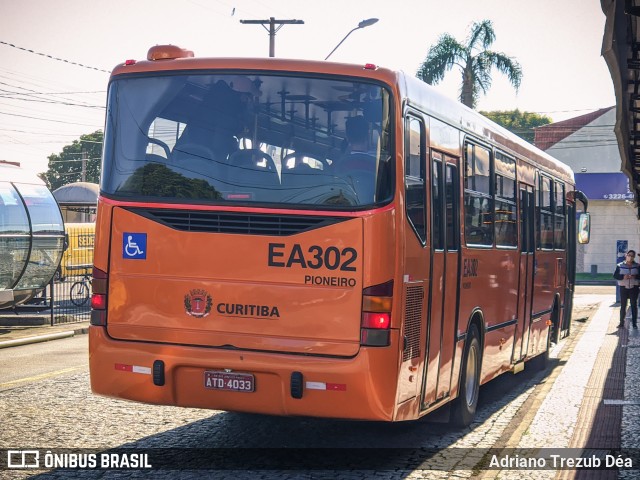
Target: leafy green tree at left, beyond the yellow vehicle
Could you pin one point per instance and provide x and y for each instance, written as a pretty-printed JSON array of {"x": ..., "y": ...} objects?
[{"x": 66, "y": 167}]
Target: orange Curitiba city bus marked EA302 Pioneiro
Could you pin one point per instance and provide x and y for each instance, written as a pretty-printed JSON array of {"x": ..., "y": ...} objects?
[{"x": 311, "y": 238}]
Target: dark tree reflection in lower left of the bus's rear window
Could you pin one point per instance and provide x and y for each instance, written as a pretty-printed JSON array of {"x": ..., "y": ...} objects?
[{"x": 157, "y": 180}]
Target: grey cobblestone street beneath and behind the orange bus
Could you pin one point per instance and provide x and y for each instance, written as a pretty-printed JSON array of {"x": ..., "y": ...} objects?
[{"x": 73, "y": 418}]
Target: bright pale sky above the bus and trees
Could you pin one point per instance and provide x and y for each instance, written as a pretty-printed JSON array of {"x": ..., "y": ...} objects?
[{"x": 557, "y": 42}]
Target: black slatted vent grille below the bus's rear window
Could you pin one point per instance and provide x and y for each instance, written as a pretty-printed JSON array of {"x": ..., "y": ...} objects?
[{"x": 237, "y": 223}]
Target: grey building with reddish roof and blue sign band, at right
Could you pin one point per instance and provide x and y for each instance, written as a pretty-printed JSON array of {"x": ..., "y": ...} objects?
[{"x": 589, "y": 146}]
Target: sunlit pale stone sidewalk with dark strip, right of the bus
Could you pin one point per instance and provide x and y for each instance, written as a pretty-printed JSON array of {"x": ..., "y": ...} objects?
[{"x": 591, "y": 404}]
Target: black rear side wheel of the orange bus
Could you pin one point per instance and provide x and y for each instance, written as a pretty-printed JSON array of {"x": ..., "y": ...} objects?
[{"x": 465, "y": 405}]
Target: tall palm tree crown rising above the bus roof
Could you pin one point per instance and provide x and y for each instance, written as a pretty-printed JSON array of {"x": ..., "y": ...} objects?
[{"x": 474, "y": 59}]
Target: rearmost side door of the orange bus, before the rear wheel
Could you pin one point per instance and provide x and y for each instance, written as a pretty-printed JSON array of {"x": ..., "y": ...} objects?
[{"x": 443, "y": 296}]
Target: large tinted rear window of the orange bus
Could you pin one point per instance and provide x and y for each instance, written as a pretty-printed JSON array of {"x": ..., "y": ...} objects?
[{"x": 263, "y": 139}]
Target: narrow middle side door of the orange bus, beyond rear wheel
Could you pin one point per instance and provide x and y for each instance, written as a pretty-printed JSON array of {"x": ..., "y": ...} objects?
[{"x": 525, "y": 287}]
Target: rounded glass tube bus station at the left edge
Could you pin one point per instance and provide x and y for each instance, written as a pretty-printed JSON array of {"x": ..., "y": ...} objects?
[{"x": 31, "y": 235}]
